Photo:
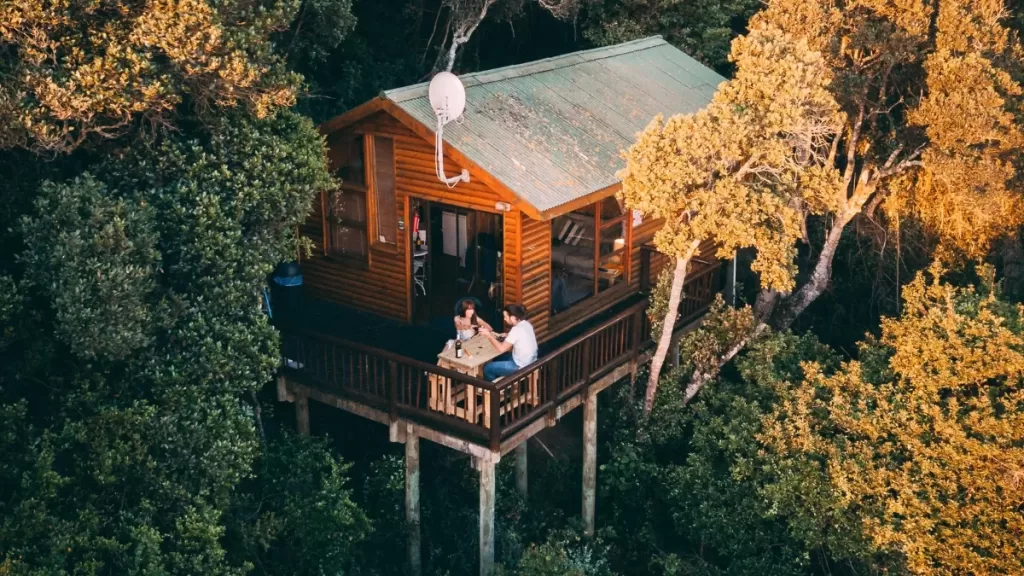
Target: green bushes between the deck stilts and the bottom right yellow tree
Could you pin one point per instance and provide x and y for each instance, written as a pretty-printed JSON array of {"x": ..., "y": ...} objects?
[{"x": 696, "y": 495}]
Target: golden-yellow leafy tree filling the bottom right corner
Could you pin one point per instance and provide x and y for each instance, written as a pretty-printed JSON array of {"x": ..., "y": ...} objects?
[{"x": 923, "y": 437}]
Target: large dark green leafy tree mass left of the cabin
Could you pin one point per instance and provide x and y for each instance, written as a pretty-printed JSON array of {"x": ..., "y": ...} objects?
[{"x": 144, "y": 339}]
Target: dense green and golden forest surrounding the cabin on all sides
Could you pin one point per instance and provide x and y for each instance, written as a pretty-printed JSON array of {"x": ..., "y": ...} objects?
[{"x": 861, "y": 417}]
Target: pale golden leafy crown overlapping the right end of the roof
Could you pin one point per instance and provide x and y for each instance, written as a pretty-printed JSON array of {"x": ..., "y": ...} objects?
[{"x": 743, "y": 170}]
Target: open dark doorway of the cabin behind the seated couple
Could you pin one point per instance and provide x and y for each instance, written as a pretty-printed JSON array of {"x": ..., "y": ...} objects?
[{"x": 456, "y": 254}]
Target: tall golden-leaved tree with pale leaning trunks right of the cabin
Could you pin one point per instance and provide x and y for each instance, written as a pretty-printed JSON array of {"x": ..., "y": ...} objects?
[{"x": 893, "y": 116}]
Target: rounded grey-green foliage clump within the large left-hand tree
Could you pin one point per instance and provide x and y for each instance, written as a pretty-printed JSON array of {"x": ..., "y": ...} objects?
[{"x": 95, "y": 258}]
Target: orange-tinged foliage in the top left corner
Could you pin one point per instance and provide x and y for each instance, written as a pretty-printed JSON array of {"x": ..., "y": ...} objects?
[{"x": 93, "y": 68}]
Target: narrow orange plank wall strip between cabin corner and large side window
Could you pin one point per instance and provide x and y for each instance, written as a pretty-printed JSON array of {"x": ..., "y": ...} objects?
[{"x": 536, "y": 293}]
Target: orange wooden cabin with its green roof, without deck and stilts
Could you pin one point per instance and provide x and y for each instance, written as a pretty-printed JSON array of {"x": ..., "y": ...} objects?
[{"x": 538, "y": 223}]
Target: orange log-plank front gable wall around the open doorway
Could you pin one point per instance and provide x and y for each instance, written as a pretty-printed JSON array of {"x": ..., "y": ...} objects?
[{"x": 383, "y": 285}]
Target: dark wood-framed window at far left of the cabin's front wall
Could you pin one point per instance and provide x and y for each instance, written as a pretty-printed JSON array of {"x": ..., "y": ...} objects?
[{"x": 347, "y": 208}]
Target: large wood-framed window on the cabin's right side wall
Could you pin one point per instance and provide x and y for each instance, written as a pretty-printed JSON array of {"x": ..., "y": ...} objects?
[{"x": 588, "y": 254}]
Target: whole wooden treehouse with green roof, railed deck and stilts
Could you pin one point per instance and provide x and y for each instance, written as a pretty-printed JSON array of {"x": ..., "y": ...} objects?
[{"x": 538, "y": 224}]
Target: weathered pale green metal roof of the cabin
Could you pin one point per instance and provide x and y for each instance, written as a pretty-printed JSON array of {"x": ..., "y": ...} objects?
[{"x": 553, "y": 131}]
